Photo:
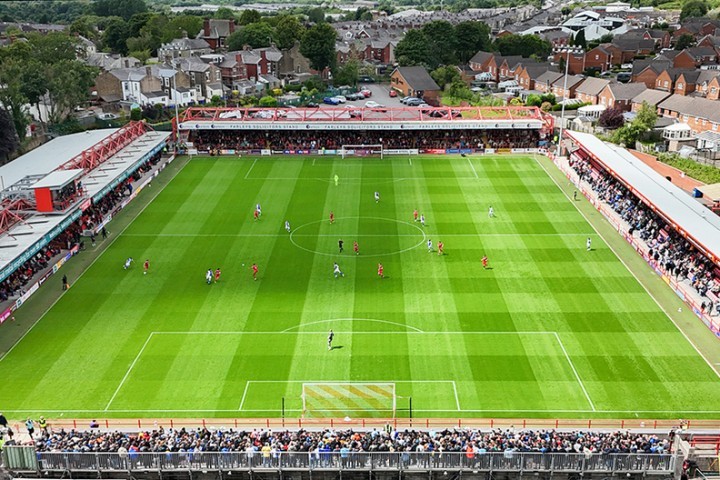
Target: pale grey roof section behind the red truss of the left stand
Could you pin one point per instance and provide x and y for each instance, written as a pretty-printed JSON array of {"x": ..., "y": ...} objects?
[{"x": 50, "y": 156}]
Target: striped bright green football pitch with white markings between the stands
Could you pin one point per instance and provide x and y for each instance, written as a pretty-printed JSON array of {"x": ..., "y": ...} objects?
[{"x": 548, "y": 330}]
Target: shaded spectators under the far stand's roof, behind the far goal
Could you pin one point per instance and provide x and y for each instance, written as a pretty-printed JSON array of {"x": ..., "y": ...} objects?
[{"x": 215, "y": 140}]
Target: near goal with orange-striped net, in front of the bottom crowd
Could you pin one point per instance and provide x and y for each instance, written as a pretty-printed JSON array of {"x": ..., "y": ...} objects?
[{"x": 351, "y": 399}]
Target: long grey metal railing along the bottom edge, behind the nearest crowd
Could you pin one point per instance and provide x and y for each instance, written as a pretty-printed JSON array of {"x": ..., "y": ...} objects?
[{"x": 20, "y": 458}]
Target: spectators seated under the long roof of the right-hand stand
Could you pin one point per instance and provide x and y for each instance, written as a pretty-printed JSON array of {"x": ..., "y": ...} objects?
[{"x": 672, "y": 253}]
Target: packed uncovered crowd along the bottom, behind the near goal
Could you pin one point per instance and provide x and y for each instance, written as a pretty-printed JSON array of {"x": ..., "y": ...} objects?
[{"x": 326, "y": 441}]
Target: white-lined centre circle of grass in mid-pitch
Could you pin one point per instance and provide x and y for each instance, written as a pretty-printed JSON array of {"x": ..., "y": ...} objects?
[{"x": 376, "y": 236}]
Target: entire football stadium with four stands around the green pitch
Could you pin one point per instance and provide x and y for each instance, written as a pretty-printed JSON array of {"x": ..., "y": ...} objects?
[{"x": 264, "y": 291}]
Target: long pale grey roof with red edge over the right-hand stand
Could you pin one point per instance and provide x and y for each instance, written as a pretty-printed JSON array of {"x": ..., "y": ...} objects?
[{"x": 687, "y": 215}]
